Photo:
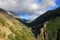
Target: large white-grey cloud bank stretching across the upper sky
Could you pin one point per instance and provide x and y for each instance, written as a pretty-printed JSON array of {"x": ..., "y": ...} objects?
[{"x": 27, "y": 5}]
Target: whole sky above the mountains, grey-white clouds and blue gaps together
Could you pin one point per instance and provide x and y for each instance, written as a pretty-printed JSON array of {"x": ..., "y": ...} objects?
[{"x": 29, "y": 9}]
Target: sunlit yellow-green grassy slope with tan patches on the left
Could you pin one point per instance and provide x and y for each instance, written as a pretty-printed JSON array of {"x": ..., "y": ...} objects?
[{"x": 11, "y": 29}]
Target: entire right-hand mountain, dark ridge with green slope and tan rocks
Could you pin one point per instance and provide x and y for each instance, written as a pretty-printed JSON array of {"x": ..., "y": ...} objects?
[{"x": 47, "y": 25}]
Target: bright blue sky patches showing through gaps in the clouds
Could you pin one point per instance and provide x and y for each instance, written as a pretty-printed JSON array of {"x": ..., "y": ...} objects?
[{"x": 51, "y": 8}]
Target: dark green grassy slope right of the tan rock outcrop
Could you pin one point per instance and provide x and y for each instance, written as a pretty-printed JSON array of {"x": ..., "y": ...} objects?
[{"x": 52, "y": 28}]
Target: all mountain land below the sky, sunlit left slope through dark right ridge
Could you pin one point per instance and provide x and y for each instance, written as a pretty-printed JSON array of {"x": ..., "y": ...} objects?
[{"x": 45, "y": 27}]
